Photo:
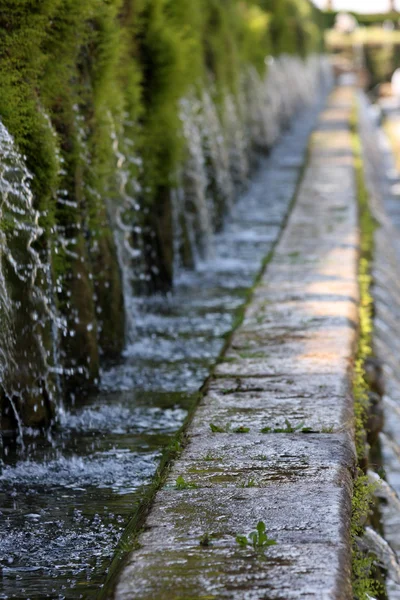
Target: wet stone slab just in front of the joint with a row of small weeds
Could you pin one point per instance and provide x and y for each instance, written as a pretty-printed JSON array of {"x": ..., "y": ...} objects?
[{"x": 228, "y": 461}]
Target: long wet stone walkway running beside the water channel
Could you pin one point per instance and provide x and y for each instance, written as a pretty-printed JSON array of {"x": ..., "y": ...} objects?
[{"x": 288, "y": 368}]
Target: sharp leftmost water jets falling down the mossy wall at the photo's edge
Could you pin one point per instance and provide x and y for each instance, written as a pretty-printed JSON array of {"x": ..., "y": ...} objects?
[{"x": 26, "y": 302}]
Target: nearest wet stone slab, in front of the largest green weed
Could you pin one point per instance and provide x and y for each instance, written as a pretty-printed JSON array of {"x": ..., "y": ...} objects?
[{"x": 321, "y": 570}]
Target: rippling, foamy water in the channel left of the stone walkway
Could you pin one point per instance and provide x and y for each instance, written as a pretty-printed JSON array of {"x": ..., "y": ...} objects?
[{"x": 67, "y": 496}]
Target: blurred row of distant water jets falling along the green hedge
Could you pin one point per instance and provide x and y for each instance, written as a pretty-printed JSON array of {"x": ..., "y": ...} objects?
[{"x": 221, "y": 145}]
